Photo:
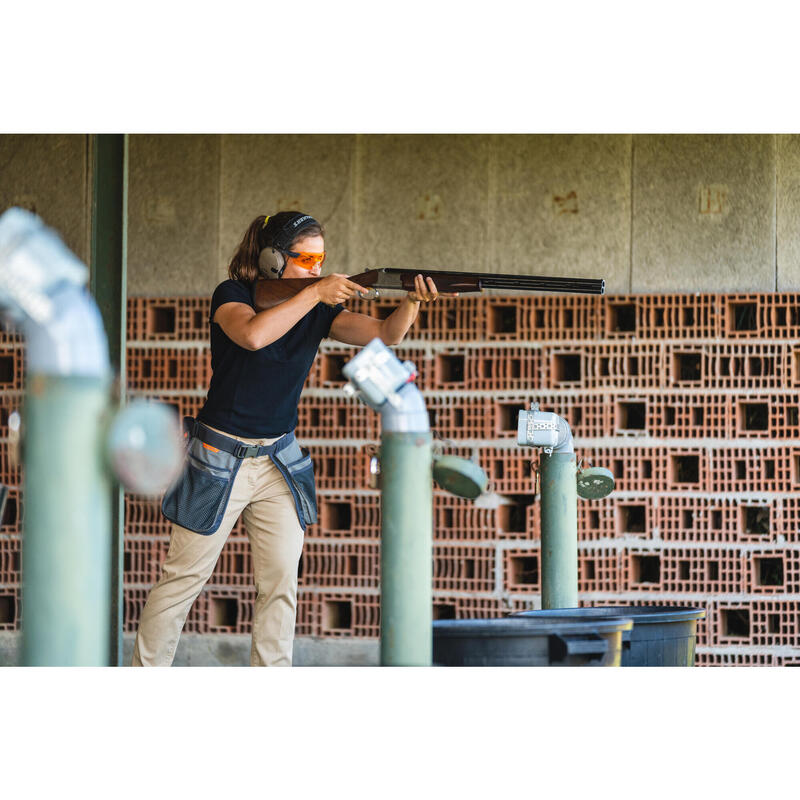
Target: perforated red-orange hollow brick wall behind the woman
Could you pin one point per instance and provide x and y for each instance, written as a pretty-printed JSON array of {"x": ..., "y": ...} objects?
[{"x": 693, "y": 401}]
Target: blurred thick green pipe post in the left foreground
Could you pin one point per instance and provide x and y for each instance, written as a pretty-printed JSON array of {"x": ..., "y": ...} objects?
[{"x": 66, "y": 546}]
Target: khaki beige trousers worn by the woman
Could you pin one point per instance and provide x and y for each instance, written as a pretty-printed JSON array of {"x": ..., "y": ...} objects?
[{"x": 260, "y": 493}]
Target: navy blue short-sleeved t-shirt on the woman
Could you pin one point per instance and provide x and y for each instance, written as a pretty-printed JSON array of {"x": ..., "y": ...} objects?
[{"x": 254, "y": 393}]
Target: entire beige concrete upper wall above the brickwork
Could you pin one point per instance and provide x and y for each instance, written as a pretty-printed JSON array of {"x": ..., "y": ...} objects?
[{"x": 649, "y": 213}]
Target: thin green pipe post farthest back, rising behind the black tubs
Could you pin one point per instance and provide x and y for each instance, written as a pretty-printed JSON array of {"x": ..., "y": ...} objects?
[{"x": 559, "y": 530}]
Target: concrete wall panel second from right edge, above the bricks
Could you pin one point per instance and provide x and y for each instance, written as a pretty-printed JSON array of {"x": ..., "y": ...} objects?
[{"x": 703, "y": 213}]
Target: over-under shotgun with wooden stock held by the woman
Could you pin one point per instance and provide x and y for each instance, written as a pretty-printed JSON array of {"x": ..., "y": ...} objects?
[{"x": 269, "y": 293}]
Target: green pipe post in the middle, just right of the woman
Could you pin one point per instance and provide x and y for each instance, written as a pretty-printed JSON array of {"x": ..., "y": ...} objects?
[{"x": 406, "y": 549}]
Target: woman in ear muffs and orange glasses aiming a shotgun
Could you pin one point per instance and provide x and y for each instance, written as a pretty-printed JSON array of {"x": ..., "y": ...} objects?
[{"x": 242, "y": 457}]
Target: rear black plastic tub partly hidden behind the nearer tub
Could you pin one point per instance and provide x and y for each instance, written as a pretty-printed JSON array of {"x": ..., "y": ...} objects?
[{"x": 662, "y": 636}]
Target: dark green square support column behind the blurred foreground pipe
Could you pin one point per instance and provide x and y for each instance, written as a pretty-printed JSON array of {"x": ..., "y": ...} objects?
[{"x": 108, "y": 285}]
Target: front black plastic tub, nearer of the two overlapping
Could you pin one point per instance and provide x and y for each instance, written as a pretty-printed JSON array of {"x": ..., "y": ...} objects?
[{"x": 558, "y": 641}]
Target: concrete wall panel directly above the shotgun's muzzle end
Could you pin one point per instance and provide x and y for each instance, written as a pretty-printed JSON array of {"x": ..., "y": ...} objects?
[{"x": 561, "y": 205}]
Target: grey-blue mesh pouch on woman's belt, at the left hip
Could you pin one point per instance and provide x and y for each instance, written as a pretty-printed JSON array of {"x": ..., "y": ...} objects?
[{"x": 198, "y": 499}]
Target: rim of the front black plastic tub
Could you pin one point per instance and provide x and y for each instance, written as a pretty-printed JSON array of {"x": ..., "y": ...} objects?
[{"x": 527, "y": 626}]
